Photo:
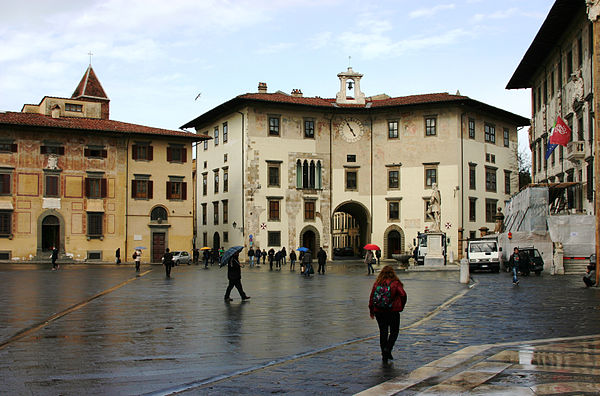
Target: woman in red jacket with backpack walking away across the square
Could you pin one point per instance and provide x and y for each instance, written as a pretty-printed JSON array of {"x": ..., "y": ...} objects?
[{"x": 386, "y": 301}]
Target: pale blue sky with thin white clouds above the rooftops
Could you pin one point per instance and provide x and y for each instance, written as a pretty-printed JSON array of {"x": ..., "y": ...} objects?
[{"x": 154, "y": 57}]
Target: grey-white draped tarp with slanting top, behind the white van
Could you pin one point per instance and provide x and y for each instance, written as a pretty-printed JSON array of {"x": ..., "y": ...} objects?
[{"x": 527, "y": 211}]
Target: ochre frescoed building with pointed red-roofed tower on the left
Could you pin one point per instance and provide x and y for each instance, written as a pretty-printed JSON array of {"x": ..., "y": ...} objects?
[{"x": 72, "y": 178}]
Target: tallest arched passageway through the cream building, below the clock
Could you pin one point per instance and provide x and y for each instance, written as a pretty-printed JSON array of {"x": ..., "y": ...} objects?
[{"x": 358, "y": 233}]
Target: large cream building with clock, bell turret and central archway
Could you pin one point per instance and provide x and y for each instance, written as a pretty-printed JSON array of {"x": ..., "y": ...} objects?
[{"x": 280, "y": 167}]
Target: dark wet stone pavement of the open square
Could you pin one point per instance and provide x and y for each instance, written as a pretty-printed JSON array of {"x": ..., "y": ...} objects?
[{"x": 296, "y": 336}]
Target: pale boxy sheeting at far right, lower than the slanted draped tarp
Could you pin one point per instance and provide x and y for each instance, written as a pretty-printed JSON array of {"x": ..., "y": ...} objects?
[{"x": 577, "y": 233}]
